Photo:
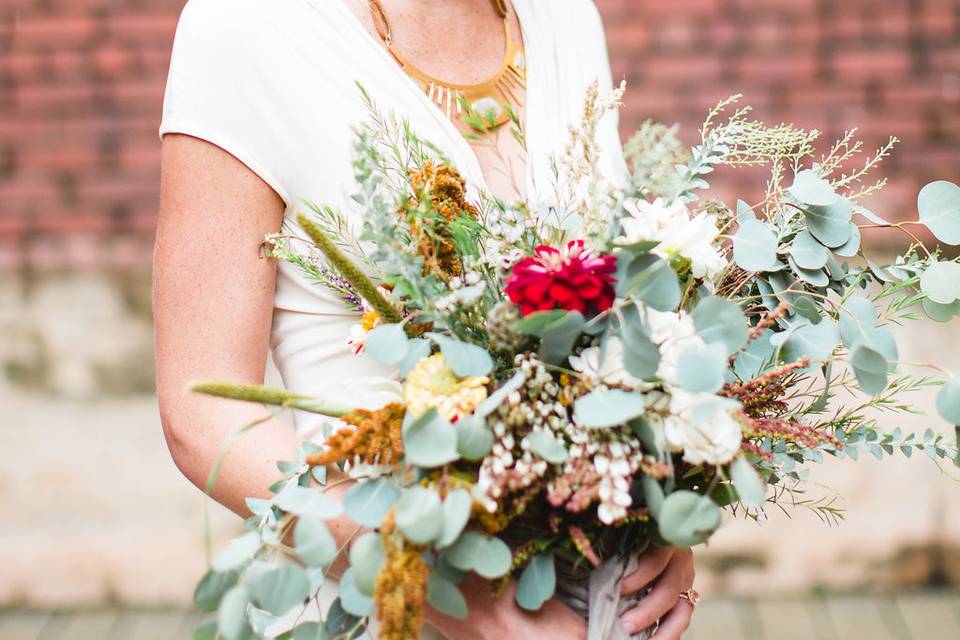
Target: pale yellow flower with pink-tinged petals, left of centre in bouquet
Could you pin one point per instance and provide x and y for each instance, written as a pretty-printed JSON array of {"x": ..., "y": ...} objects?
[{"x": 433, "y": 384}]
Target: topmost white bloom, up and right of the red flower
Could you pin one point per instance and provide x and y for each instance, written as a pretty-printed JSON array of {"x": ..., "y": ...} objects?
[{"x": 677, "y": 233}]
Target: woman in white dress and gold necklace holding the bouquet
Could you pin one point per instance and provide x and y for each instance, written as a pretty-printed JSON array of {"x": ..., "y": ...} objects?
[{"x": 259, "y": 113}]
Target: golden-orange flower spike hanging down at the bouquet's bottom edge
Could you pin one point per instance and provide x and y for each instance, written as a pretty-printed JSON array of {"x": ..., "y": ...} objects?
[{"x": 401, "y": 588}]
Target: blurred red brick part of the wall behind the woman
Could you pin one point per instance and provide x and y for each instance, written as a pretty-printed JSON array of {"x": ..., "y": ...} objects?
[{"x": 81, "y": 85}]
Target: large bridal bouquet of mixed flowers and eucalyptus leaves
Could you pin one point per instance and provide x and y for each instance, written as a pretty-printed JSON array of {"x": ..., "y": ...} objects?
[{"x": 580, "y": 381}]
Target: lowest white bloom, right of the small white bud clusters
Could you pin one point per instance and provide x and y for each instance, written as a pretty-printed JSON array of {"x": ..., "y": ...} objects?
[{"x": 714, "y": 440}]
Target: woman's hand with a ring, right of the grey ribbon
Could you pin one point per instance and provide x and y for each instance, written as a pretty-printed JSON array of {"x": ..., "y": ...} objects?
[{"x": 670, "y": 571}]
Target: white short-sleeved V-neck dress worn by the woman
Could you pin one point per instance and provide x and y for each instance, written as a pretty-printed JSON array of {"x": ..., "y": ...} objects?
[{"x": 273, "y": 82}]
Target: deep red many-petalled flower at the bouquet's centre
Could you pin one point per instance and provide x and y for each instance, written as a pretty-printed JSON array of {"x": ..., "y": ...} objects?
[{"x": 572, "y": 279}]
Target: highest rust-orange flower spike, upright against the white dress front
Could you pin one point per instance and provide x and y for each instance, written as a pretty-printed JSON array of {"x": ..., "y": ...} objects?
[{"x": 441, "y": 189}]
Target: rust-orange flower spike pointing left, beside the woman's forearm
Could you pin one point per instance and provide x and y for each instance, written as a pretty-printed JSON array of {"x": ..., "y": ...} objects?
[{"x": 376, "y": 438}]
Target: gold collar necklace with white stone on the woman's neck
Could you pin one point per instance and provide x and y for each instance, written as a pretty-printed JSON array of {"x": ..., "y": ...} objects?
[{"x": 491, "y": 99}]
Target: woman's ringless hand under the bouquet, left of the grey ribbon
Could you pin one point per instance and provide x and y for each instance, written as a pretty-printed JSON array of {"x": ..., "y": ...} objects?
[{"x": 502, "y": 619}]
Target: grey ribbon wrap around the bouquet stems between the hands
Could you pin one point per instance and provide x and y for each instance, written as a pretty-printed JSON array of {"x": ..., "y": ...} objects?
[{"x": 595, "y": 595}]
